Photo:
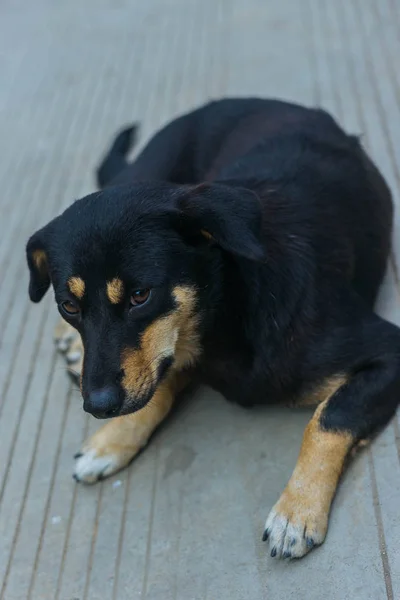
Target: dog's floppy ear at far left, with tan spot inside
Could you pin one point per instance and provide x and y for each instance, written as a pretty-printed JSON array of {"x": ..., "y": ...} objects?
[{"x": 38, "y": 266}]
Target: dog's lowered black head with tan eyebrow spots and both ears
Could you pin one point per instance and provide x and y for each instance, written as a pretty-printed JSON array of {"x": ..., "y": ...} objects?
[{"x": 131, "y": 268}]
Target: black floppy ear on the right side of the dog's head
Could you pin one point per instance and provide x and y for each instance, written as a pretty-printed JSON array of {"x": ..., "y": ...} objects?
[{"x": 230, "y": 216}]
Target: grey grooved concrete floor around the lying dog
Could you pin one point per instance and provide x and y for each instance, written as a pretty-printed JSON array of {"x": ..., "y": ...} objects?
[{"x": 185, "y": 521}]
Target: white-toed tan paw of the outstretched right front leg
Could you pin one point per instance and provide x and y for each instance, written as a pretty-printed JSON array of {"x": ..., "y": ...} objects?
[{"x": 295, "y": 525}]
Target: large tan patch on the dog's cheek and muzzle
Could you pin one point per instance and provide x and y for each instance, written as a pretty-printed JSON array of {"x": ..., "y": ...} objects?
[{"x": 174, "y": 335}]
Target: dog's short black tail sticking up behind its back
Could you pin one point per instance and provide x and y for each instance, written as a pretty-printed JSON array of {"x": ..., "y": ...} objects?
[{"x": 115, "y": 159}]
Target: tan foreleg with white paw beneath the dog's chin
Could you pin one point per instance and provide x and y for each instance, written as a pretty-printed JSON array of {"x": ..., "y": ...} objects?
[{"x": 118, "y": 441}]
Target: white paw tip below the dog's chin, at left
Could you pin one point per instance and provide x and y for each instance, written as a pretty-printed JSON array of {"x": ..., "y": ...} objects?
[{"x": 90, "y": 467}]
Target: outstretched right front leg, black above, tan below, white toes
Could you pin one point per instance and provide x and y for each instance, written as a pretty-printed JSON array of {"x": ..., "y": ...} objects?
[{"x": 362, "y": 405}]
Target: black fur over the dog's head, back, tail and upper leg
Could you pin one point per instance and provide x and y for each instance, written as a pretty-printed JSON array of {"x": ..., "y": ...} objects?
[{"x": 300, "y": 220}]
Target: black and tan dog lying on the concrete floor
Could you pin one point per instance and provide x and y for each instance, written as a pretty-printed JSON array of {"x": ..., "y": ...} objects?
[{"x": 243, "y": 248}]
